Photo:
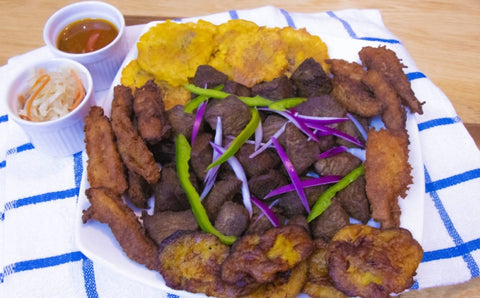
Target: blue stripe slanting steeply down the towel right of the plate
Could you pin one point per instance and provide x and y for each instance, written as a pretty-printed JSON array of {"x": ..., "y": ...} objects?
[{"x": 452, "y": 231}]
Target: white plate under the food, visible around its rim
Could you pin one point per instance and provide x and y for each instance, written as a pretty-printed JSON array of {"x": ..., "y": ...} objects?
[{"x": 97, "y": 242}]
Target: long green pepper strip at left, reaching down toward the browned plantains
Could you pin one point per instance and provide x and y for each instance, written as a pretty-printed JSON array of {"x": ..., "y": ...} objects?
[{"x": 183, "y": 151}]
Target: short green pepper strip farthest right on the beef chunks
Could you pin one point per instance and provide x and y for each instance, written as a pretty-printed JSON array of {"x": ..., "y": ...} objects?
[{"x": 325, "y": 199}]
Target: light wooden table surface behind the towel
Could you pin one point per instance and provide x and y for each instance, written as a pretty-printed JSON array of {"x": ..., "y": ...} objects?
[{"x": 443, "y": 36}]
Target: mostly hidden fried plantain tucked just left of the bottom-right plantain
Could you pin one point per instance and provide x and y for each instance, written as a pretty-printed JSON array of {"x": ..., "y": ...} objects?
[{"x": 319, "y": 283}]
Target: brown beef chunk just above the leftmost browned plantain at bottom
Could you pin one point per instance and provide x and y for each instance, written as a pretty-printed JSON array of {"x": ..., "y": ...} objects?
[{"x": 163, "y": 224}]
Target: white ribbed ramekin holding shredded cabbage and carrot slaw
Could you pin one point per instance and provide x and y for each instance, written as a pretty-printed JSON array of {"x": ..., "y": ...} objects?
[{"x": 60, "y": 137}]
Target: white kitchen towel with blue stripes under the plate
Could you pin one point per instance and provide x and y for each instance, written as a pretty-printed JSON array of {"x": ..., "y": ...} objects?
[{"x": 38, "y": 194}]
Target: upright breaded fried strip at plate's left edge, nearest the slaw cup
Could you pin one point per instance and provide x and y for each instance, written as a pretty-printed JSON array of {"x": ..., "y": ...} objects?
[{"x": 104, "y": 165}]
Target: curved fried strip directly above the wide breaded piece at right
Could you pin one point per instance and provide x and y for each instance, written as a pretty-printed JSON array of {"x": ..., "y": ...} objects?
[{"x": 394, "y": 115}]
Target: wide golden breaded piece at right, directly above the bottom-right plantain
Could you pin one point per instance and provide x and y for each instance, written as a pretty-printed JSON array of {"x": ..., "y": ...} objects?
[{"x": 387, "y": 174}]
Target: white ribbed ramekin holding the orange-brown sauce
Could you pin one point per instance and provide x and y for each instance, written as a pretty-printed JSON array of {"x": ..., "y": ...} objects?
[{"x": 104, "y": 63}]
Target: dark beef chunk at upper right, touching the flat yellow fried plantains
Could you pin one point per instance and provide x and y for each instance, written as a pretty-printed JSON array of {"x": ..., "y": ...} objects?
[{"x": 310, "y": 79}]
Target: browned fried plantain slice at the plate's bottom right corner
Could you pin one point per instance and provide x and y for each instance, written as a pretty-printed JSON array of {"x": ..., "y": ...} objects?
[{"x": 369, "y": 262}]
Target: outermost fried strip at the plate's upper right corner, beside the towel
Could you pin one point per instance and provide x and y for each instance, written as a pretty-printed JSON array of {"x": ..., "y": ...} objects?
[{"x": 387, "y": 63}]
